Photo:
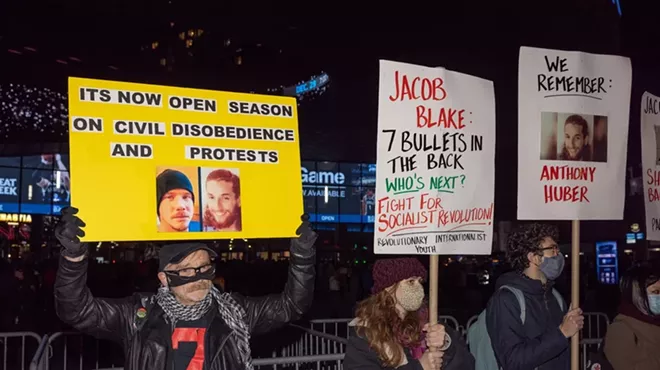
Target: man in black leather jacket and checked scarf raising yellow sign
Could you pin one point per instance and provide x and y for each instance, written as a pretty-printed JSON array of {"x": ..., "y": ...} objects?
[{"x": 188, "y": 324}]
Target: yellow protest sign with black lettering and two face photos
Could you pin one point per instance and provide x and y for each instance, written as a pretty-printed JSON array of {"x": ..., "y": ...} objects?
[{"x": 165, "y": 163}]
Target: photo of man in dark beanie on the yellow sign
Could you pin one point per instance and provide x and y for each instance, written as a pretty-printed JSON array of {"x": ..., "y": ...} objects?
[{"x": 175, "y": 200}]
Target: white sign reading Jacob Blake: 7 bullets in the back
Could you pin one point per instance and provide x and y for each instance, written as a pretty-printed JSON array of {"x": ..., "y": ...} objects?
[{"x": 436, "y": 161}]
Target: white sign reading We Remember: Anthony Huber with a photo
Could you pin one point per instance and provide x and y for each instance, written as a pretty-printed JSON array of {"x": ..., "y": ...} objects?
[{"x": 573, "y": 112}]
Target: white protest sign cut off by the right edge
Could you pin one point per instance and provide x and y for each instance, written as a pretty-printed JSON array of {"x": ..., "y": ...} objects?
[{"x": 650, "y": 119}]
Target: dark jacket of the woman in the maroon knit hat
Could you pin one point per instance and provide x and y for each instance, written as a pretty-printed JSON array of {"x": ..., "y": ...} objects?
[{"x": 361, "y": 357}]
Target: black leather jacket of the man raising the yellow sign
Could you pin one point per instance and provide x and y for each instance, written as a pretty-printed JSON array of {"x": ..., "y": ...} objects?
[{"x": 147, "y": 341}]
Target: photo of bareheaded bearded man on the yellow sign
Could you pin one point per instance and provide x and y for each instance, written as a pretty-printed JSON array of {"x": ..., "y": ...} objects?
[{"x": 222, "y": 200}]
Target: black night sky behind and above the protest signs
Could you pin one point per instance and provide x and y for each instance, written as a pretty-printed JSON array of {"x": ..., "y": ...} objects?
[{"x": 281, "y": 44}]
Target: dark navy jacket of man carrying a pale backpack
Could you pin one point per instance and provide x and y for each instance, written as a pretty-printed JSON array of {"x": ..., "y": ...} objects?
[{"x": 538, "y": 343}]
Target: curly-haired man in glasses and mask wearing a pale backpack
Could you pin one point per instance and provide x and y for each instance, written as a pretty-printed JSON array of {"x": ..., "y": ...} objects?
[{"x": 527, "y": 325}]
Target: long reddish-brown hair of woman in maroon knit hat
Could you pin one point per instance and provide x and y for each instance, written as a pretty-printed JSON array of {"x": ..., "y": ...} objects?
[{"x": 385, "y": 331}]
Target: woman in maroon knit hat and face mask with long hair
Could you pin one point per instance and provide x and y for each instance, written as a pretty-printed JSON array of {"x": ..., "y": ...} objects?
[{"x": 391, "y": 329}]
